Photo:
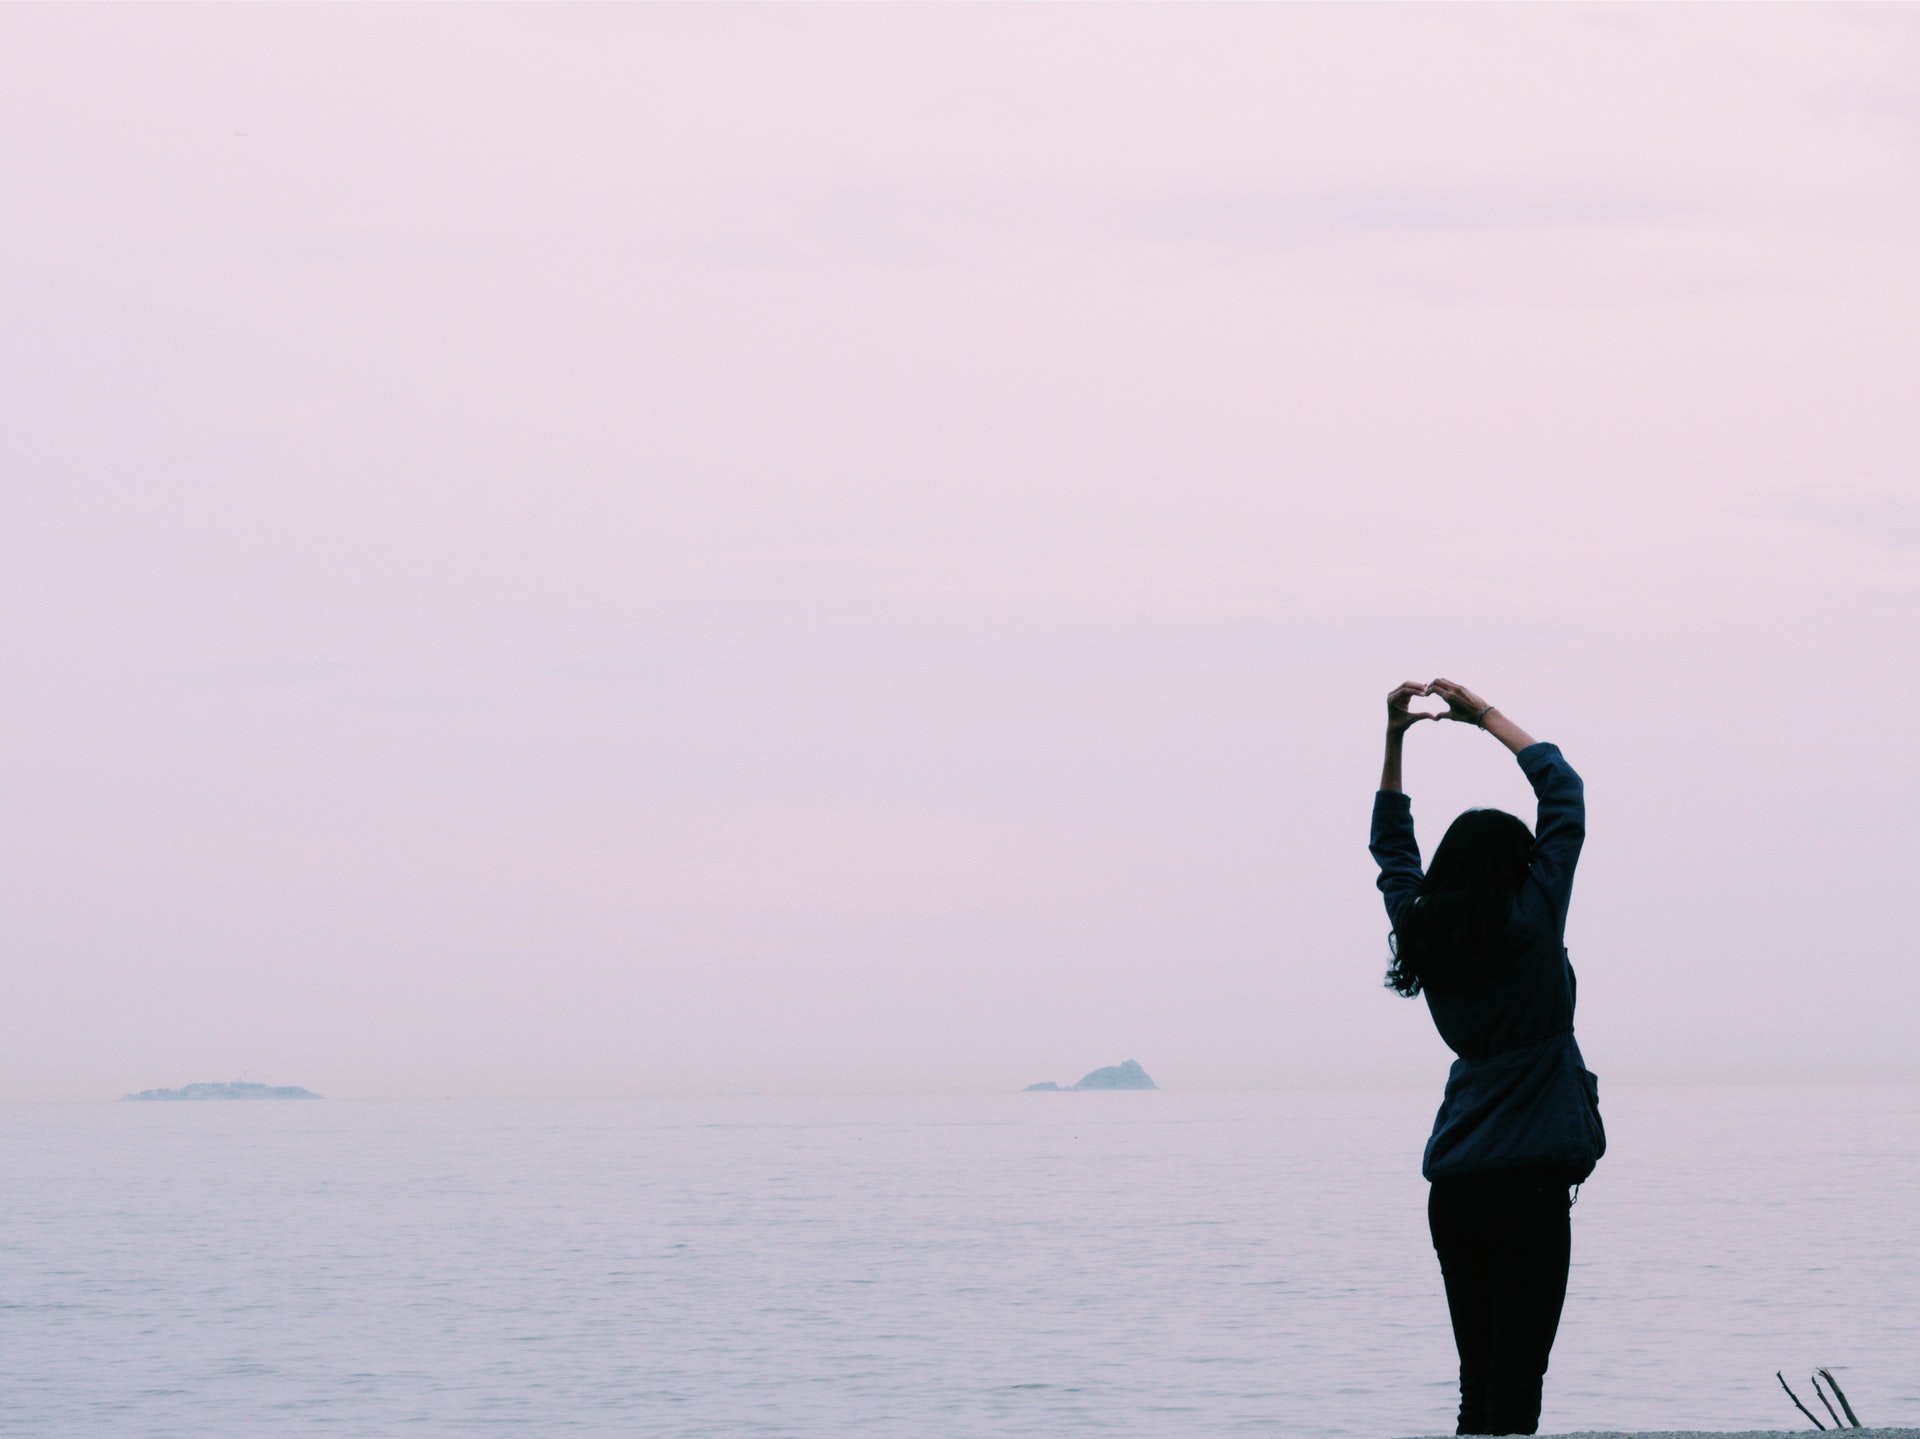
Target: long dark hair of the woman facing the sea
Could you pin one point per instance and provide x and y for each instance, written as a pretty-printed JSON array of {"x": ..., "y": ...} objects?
[{"x": 1451, "y": 937}]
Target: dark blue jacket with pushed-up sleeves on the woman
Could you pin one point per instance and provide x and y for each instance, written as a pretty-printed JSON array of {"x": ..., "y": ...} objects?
[{"x": 1520, "y": 1094}]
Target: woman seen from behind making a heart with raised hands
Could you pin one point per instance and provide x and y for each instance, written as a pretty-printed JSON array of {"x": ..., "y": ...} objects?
[{"x": 1483, "y": 937}]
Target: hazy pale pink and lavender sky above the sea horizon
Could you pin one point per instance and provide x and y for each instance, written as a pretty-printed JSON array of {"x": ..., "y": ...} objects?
[{"x": 602, "y": 550}]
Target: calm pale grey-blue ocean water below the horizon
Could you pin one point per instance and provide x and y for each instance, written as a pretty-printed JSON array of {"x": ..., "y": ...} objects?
[{"x": 919, "y": 1267}]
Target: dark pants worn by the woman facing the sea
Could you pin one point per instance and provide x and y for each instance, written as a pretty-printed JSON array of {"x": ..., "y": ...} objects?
[{"x": 1504, "y": 1242}]
